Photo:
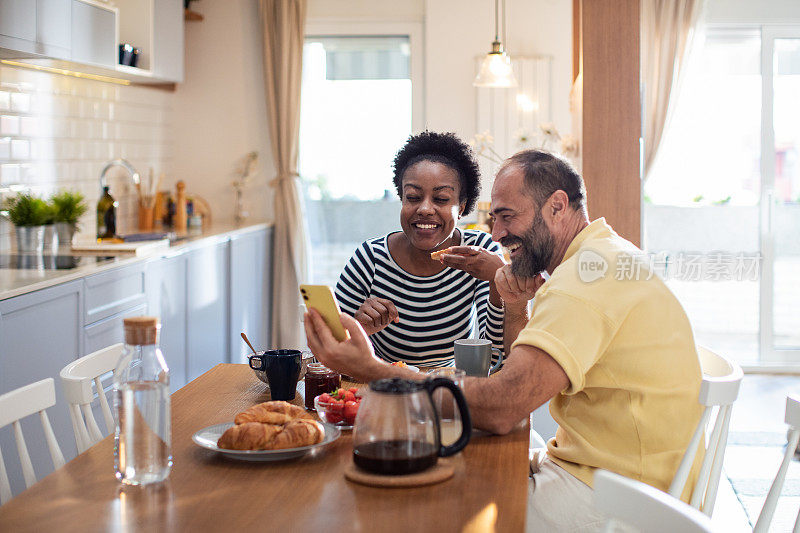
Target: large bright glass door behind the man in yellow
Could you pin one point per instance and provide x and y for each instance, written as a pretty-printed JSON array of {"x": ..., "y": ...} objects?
[{"x": 725, "y": 192}]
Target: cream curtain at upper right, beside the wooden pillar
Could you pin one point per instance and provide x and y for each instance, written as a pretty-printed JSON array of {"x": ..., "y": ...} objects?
[{"x": 668, "y": 28}]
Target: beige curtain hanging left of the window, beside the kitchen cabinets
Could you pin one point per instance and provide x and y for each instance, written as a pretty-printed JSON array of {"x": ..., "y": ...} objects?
[{"x": 283, "y": 24}]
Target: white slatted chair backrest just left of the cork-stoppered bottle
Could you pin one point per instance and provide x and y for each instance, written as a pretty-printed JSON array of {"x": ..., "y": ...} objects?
[{"x": 77, "y": 378}]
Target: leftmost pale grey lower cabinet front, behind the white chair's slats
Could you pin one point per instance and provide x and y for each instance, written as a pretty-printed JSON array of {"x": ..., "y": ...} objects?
[{"x": 40, "y": 333}]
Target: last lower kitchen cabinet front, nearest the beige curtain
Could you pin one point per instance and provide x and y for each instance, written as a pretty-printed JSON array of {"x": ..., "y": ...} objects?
[{"x": 251, "y": 291}]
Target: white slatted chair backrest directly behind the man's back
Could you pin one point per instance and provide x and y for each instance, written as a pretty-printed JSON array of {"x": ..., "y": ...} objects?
[{"x": 719, "y": 389}]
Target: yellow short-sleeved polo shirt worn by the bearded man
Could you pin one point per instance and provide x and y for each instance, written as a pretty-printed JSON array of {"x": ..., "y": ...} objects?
[{"x": 627, "y": 347}]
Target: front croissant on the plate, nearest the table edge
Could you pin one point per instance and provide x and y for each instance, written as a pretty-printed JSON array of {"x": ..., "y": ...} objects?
[{"x": 257, "y": 436}]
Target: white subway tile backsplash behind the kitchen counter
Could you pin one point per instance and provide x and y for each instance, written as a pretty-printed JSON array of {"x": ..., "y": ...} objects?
[{"x": 58, "y": 132}]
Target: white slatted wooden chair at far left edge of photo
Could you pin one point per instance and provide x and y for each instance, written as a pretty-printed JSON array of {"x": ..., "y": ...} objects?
[{"x": 16, "y": 405}]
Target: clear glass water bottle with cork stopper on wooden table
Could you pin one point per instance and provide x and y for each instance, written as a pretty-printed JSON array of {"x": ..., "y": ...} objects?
[{"x": 142, "y": 441}]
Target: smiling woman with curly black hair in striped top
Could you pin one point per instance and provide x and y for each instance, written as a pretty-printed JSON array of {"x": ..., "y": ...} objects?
[{"x": 413, "y": 306}]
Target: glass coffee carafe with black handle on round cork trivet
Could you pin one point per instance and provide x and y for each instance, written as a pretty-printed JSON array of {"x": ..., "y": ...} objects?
[{"x": 397, "y": 429}]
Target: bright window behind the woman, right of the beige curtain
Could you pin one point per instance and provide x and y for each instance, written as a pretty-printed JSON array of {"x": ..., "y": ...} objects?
[{"x": 359, "y": 99}]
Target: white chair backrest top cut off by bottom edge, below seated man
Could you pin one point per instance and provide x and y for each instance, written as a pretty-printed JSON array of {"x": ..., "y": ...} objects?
[{"x": 644, "y": 507}]
